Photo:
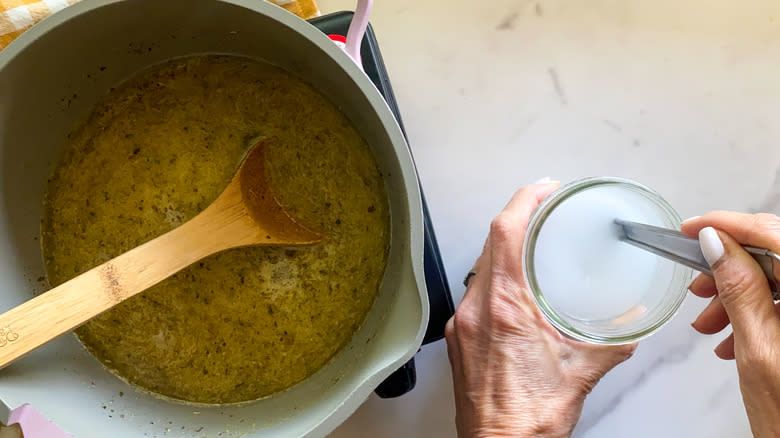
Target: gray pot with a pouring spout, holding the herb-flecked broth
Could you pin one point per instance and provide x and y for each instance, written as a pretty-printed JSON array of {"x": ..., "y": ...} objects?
[{"x": 50, "y": 78}]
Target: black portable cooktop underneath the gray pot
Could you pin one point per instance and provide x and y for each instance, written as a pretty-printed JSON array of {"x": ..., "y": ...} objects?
[{"x": 403, "y": 379}]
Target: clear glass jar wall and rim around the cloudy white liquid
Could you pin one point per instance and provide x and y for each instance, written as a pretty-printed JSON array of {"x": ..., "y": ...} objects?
[{"x": 656, "y": 307}]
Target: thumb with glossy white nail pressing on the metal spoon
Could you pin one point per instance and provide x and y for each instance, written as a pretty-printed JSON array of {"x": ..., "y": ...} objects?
[{"x": 742, "y": 287}]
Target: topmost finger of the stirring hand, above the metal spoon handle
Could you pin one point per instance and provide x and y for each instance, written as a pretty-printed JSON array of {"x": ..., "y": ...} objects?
[{"x": 761, "y": 230}]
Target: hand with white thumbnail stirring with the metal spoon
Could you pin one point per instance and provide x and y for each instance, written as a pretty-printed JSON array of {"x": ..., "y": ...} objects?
[{"x": 741, "y": 297}]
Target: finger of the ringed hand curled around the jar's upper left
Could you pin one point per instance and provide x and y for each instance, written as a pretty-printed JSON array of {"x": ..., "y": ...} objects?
[{"x": 507, "y": 231}]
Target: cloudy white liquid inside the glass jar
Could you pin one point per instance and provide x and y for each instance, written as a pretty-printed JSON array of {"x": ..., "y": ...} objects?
[{"x": 585, "y": 272}]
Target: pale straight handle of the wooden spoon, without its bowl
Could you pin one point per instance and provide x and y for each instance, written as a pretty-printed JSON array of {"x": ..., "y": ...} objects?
[{"x": 43, "y": 318}]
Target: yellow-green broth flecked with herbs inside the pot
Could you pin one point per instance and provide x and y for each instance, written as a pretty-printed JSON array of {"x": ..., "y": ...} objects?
[{"x": 244, "y": 323}]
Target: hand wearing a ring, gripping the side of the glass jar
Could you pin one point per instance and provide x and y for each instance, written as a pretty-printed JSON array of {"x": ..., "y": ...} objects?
[{"x": 514, "y": 373}]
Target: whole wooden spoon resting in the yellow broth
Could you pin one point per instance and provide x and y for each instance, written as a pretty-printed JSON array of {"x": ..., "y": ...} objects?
[{"x": 245, "y": 214}]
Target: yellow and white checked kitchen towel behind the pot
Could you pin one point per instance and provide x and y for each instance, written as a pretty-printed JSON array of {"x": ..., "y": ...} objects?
[{"x": 16, "y": 16}]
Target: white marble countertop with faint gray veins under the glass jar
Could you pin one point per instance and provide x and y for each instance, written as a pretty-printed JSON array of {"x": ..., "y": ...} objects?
[{"x": 682, "y": 96}]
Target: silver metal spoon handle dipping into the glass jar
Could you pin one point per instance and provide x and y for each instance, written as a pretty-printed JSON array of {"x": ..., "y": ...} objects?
[{"x": 675, "y": 246}]
